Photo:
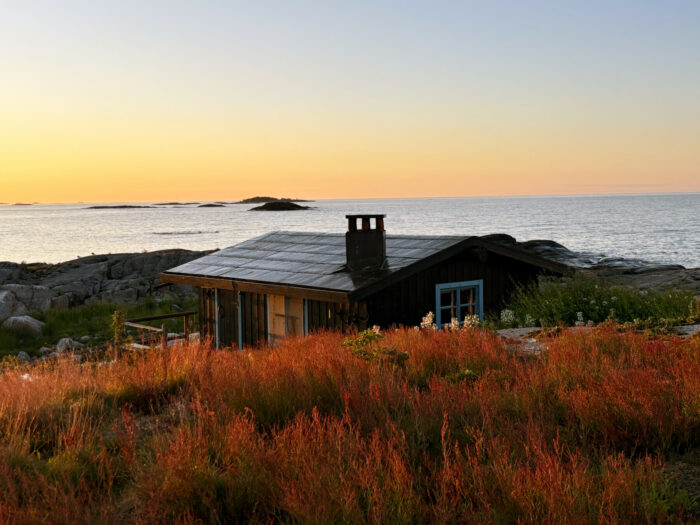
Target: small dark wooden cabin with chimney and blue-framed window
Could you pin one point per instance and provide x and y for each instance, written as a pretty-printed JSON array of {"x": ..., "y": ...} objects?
[{"x": 292, "y": 283}]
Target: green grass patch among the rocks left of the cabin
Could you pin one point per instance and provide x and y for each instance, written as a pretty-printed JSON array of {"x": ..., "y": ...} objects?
[{"x": 91, "y": 319}]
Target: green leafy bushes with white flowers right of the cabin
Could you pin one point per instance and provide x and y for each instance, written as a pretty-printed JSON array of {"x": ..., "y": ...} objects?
[{"x": 582, "y": 299}]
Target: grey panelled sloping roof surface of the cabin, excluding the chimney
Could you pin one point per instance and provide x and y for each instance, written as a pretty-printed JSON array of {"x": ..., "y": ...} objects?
[{"x": 314, "y": 260}]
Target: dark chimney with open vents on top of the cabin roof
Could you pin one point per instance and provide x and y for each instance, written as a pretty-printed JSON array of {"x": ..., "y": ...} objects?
[{"x": 365, "y": 248}]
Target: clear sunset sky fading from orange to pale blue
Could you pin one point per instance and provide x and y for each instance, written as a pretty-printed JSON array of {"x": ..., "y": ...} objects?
[{"x": 141, "y": 101}]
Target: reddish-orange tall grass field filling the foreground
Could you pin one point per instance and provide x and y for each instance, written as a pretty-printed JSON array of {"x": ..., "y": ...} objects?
[{"x": 323, "y": 432}]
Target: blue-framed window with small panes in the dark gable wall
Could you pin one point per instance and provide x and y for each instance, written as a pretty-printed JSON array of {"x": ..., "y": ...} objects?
[{"x": 458, "y": 300}]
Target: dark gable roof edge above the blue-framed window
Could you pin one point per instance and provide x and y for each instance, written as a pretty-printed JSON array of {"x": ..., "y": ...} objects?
[{"x": 469, "y": 242}]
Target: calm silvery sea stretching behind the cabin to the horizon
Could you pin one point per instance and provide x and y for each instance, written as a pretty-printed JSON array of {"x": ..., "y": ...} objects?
[{"x": 660, "y": 228}]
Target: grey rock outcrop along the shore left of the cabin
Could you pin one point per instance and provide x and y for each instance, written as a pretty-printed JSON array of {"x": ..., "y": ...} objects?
[{"x": 118, "y": 278}]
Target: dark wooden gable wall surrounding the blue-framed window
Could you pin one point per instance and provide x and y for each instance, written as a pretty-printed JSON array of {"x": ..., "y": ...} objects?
[{"x": 407, "y": 301}]
